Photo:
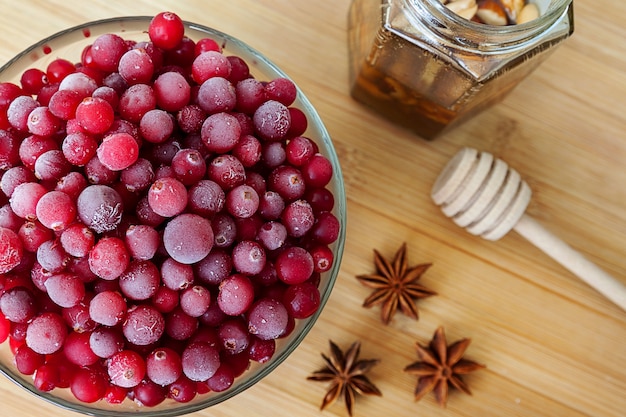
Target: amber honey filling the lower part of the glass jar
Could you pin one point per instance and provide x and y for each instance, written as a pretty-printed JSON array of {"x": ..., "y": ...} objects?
[{"x": 418, "y": 88}]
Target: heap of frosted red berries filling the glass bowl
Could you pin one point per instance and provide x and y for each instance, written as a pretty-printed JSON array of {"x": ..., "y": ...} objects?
[{"x": 163, "y": 220}]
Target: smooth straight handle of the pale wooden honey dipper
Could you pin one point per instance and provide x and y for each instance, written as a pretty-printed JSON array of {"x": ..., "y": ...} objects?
[{"x": 575, "y": 262}]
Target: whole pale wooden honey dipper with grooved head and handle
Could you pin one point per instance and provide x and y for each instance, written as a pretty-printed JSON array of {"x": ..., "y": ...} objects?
[{"x": 488, "y": 198}]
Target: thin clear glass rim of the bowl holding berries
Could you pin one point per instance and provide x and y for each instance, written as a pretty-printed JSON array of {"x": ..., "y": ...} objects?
[{"x": 338, "y": 246}]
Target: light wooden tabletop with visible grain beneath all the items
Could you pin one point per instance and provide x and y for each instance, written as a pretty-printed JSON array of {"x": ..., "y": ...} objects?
[{"x": 552, "y": 345}]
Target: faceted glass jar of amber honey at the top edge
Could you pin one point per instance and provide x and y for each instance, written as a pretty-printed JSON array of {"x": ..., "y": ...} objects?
[{"x": 426, "y": 67}]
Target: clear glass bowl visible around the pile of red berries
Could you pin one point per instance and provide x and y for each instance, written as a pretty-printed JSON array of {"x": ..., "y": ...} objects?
[{"x": 69, "y": 44}]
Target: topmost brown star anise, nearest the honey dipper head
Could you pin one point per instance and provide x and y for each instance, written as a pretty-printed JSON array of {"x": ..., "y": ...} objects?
[{"x": 395, "y": 284}]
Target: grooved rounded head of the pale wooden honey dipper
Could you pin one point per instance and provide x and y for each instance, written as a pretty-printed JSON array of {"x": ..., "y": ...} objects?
[{"x": 481, "y": 193}]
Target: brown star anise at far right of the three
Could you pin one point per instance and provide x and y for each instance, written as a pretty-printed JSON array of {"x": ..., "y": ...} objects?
[{"x": 440, "y": 367}]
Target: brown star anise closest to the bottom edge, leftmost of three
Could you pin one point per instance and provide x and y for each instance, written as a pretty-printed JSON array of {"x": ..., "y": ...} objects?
[{"x": 346, "y": 374}]
